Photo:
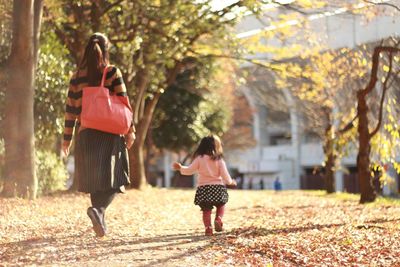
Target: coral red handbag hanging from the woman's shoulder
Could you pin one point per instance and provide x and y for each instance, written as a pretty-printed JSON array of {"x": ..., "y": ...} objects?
[{"x": 104, "y": 111}]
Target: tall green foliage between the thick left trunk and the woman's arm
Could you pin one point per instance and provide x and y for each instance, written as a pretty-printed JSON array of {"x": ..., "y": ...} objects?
[{"x": 51, "y": 86}]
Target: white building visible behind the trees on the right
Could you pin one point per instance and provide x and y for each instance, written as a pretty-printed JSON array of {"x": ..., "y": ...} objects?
[{"x": 276, "y": 155}]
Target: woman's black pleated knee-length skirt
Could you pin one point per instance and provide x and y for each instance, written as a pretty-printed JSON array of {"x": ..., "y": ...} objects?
[{"x": 101, "y": 161}]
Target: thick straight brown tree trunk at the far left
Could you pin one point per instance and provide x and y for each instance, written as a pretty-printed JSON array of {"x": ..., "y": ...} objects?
[{"x": 20, "y": 178}]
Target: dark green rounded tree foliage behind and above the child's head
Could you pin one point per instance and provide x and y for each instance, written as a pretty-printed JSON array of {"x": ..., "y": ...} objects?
[{"x": 185, "y": 115}]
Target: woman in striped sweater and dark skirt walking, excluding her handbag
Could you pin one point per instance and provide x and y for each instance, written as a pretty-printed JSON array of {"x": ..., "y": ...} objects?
[{"x": 101, "y": 160}]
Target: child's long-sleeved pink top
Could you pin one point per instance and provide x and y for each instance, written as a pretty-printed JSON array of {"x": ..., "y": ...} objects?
[{"x": 210, "y": 171}]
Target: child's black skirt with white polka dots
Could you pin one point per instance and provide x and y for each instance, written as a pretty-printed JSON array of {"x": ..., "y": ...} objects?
[{"x": 211, "y": 194}]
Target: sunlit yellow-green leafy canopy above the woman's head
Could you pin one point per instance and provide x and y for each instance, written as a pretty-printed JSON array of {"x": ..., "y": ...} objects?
[{"x": 149, "y": 38}]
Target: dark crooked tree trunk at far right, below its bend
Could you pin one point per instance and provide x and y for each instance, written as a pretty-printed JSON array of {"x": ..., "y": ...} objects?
[{"x": 368, "y": 193}]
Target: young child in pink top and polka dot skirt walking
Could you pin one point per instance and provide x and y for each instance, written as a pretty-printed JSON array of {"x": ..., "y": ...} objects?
[{"x": 213, "y": 176}]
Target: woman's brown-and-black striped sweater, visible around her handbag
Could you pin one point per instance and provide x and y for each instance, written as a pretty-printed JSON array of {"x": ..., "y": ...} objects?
[{"x": 73, "y": 108}]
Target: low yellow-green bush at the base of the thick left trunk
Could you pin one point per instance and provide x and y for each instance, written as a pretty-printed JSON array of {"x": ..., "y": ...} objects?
[{"x": 51, "y": 172}]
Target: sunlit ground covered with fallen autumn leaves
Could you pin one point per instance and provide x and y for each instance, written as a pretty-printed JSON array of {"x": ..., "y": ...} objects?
[{"x": 159, "y": 227}]
